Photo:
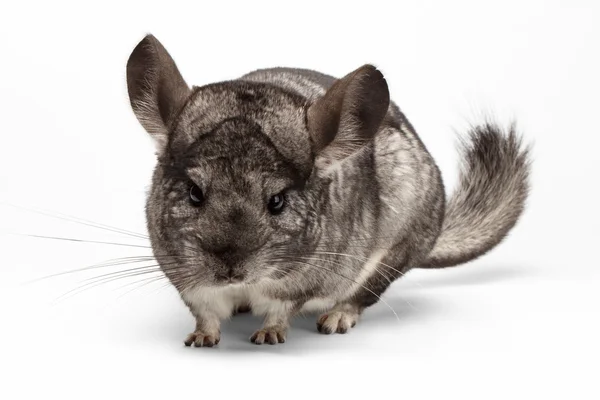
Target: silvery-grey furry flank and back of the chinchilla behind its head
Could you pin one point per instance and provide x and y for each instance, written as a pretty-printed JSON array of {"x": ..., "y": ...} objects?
[{"x": 379, "y": 209}]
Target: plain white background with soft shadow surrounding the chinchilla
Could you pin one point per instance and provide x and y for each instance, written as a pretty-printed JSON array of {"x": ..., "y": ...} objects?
[{"x": 521, "y": 322}]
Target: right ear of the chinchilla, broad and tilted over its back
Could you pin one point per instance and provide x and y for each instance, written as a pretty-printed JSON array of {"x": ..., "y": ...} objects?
[{"x": 349, "y": 114}]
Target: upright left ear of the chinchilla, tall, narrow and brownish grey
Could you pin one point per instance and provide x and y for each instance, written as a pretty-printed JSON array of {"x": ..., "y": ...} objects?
[{"x": 157, "y": 91}]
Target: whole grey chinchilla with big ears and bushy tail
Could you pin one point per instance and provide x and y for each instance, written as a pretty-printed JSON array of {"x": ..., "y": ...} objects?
[{"x": 288, "y": 191}]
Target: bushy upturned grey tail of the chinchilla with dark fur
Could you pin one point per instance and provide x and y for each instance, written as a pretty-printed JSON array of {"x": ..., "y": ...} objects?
[{"x": 490, "y": 197}]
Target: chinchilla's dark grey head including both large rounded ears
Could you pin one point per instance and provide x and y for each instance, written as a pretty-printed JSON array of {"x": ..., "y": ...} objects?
[{"x": 236, "y": 185}]
